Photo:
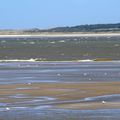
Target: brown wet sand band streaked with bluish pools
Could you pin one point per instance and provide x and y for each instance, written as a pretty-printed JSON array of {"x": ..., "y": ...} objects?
[{"x": 68, "y": 95}]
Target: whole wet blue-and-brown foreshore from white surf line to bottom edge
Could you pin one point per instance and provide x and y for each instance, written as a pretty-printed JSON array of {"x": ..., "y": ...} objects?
[{"x": 59, "y": 90}]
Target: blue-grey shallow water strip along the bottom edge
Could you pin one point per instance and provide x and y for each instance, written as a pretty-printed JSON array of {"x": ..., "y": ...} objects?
[{"x": 60, "y": 114}]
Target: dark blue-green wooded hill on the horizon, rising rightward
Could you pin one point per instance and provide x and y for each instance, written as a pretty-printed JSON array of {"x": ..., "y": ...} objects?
[{"x": 82, "y": 28}]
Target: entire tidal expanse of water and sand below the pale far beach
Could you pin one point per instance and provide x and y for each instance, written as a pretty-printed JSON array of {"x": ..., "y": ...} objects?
[{"x": 60, "y": 78}]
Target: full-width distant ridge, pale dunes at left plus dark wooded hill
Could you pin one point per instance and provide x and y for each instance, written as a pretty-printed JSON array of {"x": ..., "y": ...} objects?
[{"x": 79, "y": 28}]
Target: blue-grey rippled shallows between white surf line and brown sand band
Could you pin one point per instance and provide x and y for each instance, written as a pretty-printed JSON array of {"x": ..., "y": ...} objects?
[{"x": 58, "y": 72}]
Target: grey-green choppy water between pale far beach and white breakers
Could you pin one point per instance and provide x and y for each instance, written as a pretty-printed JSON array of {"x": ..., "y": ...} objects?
[{"x": 60, "y": 48}]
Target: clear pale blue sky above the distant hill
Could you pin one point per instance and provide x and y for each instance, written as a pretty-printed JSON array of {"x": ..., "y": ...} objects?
[{"x": 24, "y": 14}]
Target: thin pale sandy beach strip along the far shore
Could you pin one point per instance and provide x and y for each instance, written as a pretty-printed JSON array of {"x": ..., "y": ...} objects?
[{"x": 64, "y": 35}]
